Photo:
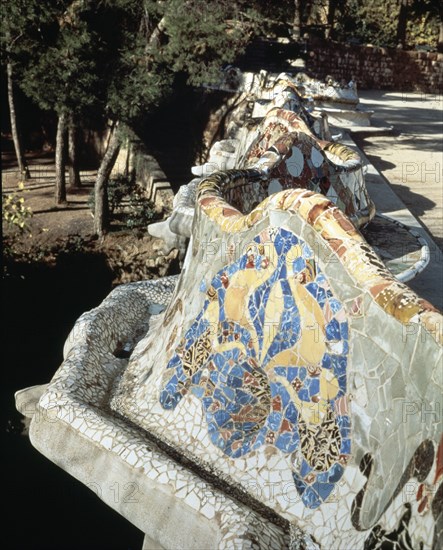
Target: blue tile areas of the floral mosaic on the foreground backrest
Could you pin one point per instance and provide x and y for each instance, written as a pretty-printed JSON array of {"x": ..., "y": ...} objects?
[{"x": 230, "y": 391}]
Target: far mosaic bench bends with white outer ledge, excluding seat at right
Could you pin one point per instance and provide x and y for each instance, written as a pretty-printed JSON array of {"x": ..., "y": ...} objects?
[{"x": 283, "y": 141}]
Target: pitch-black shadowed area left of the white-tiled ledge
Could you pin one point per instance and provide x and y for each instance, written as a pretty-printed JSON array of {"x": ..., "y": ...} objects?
[{"x": 46, "y": 508}]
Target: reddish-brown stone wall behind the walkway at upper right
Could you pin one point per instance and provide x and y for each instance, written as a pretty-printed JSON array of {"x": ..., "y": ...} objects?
[{"x": 377, "y": 68}]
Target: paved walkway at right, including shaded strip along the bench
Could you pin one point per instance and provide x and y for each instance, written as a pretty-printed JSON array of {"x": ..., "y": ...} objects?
[{"x": 410, "y": 159}]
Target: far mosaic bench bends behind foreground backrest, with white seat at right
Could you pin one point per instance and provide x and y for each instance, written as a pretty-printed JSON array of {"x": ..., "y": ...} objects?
[{"x": 295, "y": 151}]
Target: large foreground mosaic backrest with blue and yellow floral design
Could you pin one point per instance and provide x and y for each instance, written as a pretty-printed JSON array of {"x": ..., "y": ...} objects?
[{"x": 297, "y": 370}]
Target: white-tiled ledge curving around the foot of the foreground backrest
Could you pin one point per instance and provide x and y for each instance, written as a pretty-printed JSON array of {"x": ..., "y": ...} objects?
[{"x": 72, "y": 424}]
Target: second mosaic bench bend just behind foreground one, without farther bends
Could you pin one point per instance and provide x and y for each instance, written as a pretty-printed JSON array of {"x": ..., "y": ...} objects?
[{"x": 288, "y": 155}]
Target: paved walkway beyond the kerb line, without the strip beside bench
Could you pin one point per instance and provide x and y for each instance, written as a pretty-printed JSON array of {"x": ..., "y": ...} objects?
[{"x": 411, "y": 156}]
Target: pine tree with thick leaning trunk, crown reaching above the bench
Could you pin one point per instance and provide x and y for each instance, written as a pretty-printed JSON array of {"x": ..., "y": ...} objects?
[{"x": 159, "y": 44}]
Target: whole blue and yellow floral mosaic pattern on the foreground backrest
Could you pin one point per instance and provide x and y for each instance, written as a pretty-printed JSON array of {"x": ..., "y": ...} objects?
[{"x": 267, "y": 357}]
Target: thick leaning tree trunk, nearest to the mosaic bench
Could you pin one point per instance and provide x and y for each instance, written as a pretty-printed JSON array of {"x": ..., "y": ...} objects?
[{"x": 101, "y": 213}]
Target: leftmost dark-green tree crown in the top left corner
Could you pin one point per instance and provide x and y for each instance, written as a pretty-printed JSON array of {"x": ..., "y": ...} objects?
[{"x": 56, "y": 54}]
